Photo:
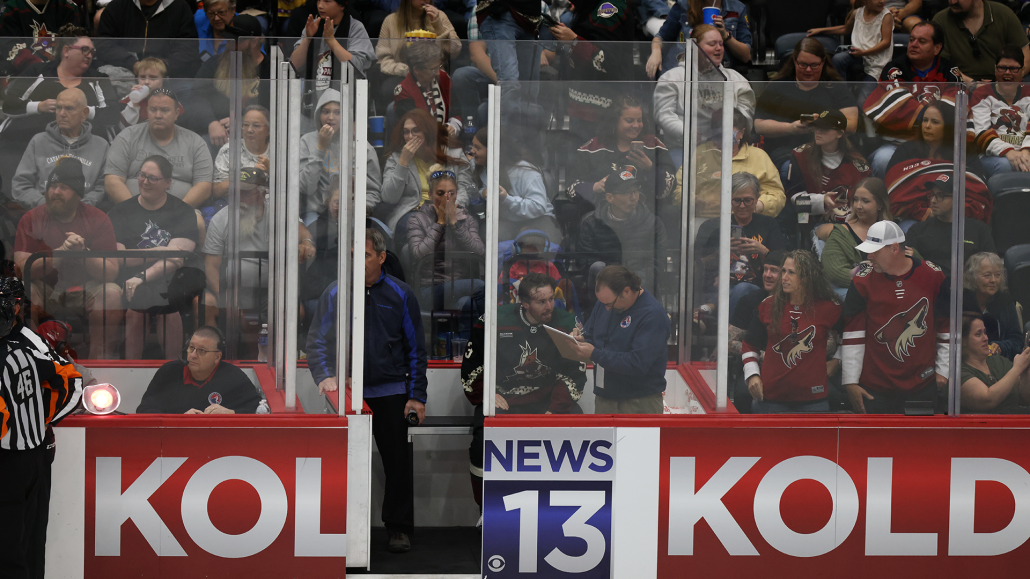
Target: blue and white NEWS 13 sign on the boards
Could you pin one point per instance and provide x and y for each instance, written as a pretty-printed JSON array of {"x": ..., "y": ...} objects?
[{"x": 547, "y": 502}]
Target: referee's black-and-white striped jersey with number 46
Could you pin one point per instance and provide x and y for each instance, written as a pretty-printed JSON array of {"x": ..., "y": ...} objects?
[{"x": 38, "y": 388}]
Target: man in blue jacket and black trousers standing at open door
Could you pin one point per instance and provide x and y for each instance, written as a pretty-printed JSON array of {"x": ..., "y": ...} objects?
[{"x": 395, "y": 377}]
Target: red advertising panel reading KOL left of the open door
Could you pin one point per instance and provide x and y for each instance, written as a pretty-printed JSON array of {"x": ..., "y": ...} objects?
[{"x": 229, "y": 502}]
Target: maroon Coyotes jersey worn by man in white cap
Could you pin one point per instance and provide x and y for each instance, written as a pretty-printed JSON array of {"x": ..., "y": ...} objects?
[{"x": 897, "y": 329}]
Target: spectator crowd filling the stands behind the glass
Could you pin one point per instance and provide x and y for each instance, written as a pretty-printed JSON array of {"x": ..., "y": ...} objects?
[{"x": 847, "y": 151}]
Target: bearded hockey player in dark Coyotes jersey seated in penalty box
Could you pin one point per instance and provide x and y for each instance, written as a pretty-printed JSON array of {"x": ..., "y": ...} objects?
[{"x": 533, "y": 378}]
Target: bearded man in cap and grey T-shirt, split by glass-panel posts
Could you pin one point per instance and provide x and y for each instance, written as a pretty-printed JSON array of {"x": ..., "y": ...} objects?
[{"x": 253, "y": 236}]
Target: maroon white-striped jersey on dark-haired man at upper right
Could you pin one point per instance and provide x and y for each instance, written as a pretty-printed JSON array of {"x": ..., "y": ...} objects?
[{"x": 898, "y": 104}]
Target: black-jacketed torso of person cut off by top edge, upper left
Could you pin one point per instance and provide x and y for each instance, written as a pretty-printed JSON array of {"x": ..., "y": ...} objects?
[{"x": 151, "y": 28}]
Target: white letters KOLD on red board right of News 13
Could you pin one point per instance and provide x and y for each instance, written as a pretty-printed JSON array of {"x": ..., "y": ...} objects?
[{"x": 689, "y": 505}]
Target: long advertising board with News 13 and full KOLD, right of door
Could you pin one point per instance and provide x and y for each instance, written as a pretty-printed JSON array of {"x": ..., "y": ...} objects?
[{"x": 768, "y": 502}]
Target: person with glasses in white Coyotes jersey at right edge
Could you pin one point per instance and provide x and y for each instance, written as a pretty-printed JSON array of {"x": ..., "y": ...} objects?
[{"x": 1000, "y": 113}]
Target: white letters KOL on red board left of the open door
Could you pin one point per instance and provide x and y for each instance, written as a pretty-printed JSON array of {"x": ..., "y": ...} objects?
[{"x": 116, "y": 506}]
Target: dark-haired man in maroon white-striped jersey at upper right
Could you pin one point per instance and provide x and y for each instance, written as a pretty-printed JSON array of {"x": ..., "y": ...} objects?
[{"x": 907, "y": 86}]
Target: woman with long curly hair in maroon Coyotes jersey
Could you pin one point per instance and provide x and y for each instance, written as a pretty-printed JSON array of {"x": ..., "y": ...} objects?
[{"x": 793, "y": 327}]
